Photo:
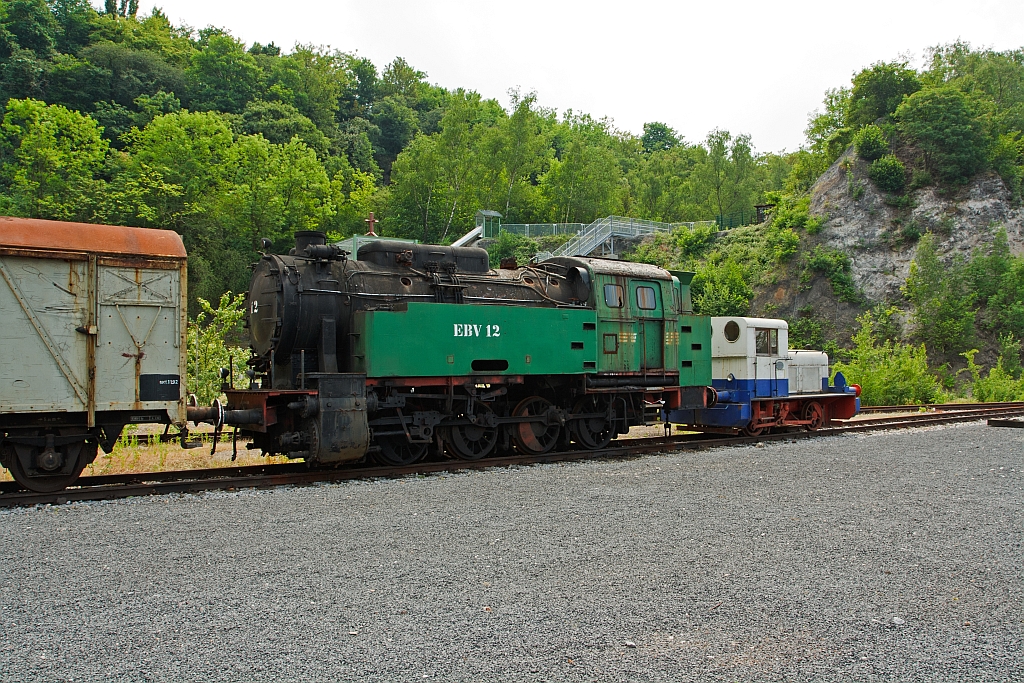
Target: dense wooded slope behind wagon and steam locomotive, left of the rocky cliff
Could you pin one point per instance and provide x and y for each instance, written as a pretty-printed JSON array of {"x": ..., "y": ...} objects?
[{"x": 124, "y": 119}]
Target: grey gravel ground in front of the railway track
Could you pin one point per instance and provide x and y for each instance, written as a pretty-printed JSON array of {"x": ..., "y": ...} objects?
[{"x": 886, "y": 557}]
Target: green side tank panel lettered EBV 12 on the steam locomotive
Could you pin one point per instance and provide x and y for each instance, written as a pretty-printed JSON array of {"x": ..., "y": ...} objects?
[{"x": 439, "y": 340}]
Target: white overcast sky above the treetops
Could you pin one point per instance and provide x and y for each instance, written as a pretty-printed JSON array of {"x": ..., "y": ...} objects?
[{"x": 757, "y": 68}]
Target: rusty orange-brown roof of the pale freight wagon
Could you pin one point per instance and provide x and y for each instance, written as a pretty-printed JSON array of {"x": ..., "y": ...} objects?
[{"x": 66, "y": 237}]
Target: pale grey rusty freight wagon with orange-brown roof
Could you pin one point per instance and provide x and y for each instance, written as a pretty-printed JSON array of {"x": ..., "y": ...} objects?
[{"x": 93, "y": 338}]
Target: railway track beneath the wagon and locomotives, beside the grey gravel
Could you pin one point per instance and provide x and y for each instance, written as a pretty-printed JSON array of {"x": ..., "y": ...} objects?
[{"x": 265, "y": 477}]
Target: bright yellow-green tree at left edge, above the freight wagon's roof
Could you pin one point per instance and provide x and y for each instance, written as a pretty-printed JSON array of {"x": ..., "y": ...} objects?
[{"x": 50, "y": 160}]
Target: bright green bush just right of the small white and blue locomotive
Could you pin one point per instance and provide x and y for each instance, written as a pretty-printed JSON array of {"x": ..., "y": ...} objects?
[{"x": 889, "y": 373}]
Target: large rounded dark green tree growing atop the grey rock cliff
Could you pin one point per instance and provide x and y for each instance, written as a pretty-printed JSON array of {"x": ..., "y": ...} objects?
[{"x": 943, "y": 124}]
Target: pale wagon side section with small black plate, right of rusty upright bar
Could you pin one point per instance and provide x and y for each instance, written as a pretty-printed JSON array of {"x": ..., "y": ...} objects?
[{"x": 140, "y": 337}]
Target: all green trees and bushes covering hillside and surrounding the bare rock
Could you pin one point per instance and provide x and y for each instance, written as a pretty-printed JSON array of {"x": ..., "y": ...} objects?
[{"x": 112, "y": 117}]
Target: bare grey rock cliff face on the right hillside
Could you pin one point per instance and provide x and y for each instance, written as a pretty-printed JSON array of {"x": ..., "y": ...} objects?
[{"x": 881, "y": 239}]
